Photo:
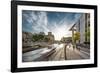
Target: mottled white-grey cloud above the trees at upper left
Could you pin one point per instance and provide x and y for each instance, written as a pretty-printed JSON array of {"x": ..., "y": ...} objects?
[{"x": 36, "y": 21}]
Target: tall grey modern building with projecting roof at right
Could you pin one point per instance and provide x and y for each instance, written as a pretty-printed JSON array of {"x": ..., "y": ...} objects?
[{"x": 82, "y": 26}]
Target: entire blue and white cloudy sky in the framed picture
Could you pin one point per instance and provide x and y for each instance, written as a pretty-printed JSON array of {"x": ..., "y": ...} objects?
[{"x": 58, "y": 23}]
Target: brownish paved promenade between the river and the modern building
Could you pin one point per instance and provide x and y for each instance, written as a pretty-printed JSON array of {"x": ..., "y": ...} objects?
[{"x": 71, "y": 54}]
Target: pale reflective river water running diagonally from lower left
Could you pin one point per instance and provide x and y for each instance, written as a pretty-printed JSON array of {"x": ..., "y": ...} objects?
[{"x": 32, "y": 55}]
